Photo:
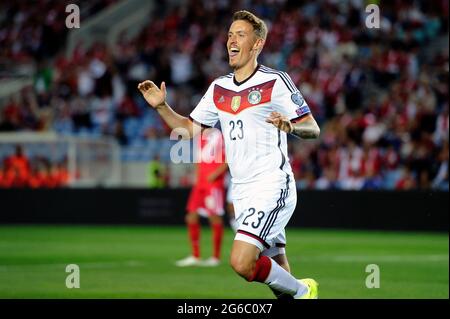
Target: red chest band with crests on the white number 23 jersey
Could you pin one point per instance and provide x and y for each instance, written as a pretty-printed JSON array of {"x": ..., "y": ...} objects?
[{"x": 235, "y": 102}]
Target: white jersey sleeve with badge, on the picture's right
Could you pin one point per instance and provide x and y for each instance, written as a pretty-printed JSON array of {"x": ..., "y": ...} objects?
[{"x": 288, "y": 100}]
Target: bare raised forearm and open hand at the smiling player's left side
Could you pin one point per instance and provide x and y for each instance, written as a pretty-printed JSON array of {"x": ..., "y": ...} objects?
[{"x": 156, "y": 98}]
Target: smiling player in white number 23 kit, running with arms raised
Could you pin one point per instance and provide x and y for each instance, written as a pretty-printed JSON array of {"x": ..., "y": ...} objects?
[{"x": 256, "y": 106}]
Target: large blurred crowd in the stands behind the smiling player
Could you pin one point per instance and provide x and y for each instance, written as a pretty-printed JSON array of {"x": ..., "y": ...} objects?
[{"x": 379, "y": 95}]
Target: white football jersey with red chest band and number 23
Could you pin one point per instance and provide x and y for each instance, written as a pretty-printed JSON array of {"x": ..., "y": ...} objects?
[{"x": 256, "y": 151}]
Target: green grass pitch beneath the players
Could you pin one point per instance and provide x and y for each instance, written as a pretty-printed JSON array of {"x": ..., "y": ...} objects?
[{"x": 138, "y": 262}]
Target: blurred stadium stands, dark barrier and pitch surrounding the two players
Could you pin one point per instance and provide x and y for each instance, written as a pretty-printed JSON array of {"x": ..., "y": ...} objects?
[{"x": 78, "y": 145}]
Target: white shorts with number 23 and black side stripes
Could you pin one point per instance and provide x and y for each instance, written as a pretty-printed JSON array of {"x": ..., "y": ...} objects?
[{"x": 263, "y": 217}]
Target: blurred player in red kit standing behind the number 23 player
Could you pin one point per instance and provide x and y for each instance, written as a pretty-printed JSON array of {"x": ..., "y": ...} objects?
[{"x": 206, "y": 198}]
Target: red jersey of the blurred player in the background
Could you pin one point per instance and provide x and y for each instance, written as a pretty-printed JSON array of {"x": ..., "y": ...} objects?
[{"x": 210, "y": 156}]
